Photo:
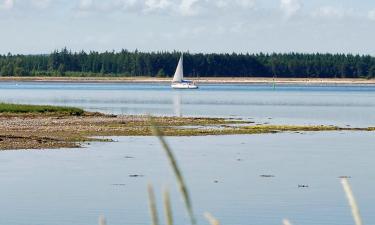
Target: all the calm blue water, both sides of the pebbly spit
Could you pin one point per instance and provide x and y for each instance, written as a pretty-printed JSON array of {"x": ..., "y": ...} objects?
[{"x": 223, "y": 173}]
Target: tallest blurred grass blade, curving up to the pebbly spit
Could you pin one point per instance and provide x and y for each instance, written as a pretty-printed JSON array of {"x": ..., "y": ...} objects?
[{"x": 176, "y": 170}]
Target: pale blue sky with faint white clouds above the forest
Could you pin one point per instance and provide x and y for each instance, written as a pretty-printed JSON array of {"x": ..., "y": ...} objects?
[{"x": 220, "y": 26}]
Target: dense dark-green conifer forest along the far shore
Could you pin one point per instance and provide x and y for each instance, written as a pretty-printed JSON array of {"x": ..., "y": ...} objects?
[{"x": 161, "y": 64}]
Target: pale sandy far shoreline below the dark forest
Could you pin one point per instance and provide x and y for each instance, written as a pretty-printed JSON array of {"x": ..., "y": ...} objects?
[{"x": 202, "y": 80}]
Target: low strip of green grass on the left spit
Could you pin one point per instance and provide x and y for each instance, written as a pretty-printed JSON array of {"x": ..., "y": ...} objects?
[{"x": 19, "y": 108}]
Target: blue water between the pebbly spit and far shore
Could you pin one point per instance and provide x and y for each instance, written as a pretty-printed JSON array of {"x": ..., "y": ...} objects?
[{"x": 287, "y": 104}]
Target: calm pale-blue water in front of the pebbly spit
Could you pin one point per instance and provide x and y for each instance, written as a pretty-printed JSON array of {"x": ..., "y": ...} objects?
[{"x": 56, "y": 187}]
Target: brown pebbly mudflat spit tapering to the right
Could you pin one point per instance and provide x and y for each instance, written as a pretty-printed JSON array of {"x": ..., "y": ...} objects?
[{"x": 63, "y": 130}]
